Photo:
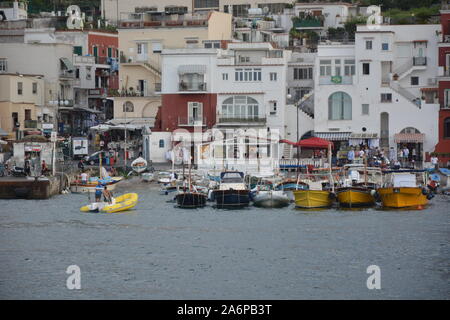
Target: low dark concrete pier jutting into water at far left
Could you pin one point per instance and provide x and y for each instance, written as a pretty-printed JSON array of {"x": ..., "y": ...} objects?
[{"x": 30, "y": 187}]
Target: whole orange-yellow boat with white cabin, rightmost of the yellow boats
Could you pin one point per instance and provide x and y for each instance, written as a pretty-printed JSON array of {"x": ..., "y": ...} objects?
[{"x": 401, "y": 190}]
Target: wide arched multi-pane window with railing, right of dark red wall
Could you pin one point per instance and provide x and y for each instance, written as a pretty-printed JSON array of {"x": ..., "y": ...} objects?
[{"x": 240, "y": 107}]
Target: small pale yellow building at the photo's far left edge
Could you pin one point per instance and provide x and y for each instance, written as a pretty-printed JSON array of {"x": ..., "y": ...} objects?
[{"x": 20, "y": 96}]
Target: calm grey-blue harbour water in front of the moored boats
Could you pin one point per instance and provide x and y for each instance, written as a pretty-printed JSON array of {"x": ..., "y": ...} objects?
[{"x": 160, "y": 252}]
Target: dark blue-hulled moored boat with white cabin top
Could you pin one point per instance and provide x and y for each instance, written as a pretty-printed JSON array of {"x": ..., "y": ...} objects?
[{"x": 232, "y": 192}]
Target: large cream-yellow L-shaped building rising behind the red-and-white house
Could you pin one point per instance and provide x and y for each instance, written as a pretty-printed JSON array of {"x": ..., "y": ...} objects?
[{"x": 142, "y": 37}]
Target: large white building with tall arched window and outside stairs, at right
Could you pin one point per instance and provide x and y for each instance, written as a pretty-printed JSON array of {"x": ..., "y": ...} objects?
[{"x": 375, "y": 91}]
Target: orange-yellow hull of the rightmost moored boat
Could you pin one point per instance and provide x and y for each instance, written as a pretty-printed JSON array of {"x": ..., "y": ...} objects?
[{"x": 402, "y": 197}]
